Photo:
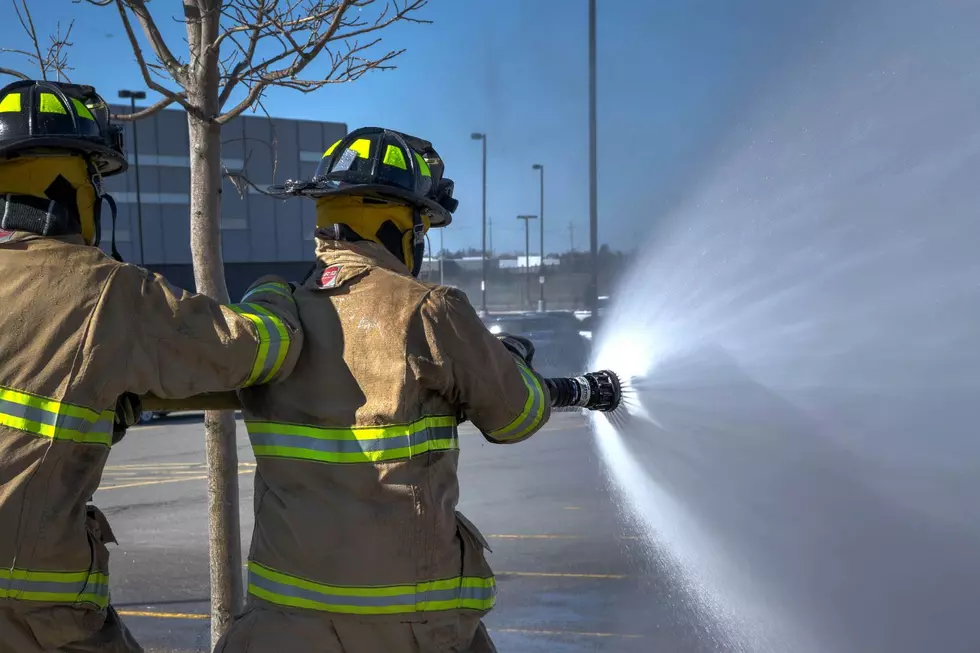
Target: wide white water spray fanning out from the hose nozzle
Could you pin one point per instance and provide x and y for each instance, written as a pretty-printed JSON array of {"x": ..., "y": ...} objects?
[{"x": 804, "y": 441}]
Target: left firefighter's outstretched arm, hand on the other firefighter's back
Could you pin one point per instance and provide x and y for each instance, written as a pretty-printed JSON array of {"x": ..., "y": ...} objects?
[{"x": 185, "y": 345}]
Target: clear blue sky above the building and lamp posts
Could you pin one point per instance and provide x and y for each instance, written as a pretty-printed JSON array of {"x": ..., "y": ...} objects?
[{"x": 673, "y": 75}]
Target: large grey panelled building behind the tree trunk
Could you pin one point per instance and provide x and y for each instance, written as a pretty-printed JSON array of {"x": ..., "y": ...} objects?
[{"x": 259, "y": 235}]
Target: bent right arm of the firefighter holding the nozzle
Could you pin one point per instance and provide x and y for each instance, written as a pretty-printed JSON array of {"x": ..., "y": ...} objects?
[{"x": 496, "y": 388}]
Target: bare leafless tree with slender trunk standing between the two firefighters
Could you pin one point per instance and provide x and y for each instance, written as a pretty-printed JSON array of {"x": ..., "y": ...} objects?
[{"x": 236, "y": 51}]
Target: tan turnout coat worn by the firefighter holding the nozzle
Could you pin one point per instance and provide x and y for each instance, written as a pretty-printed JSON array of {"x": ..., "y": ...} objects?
[{"x": 356, "y": 483}]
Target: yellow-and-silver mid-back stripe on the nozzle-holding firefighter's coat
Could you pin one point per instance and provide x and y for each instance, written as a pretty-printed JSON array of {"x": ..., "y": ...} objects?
[{"x": 353, "y": 445}]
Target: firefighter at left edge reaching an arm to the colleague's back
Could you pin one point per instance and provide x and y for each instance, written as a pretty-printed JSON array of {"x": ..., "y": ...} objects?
[{"x": 83, "y": 337}]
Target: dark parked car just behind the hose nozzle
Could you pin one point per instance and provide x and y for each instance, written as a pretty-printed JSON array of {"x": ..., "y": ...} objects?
[{"x": 560, "y": 347}]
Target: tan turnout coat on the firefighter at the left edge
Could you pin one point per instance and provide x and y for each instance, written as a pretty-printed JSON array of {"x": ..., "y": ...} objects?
[{"x": 78, "y": 329}]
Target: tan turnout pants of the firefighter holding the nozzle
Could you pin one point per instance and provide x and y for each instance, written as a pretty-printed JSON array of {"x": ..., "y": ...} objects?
[{"x": 274, "y": 630}]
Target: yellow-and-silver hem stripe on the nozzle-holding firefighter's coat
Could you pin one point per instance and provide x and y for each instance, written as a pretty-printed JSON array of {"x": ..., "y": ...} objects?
[{"x": 462, "y": 592}]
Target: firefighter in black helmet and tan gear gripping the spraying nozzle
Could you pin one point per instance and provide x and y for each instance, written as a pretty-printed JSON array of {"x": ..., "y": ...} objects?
[{"x": 358, "y": 547}]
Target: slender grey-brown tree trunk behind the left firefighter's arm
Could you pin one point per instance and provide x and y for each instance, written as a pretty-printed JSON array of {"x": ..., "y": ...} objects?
[{"x": 224, "y": 533}]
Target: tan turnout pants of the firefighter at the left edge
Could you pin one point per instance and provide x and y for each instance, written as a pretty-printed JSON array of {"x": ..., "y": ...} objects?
[{"x": 64, "y": 629}]
